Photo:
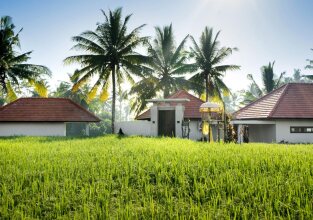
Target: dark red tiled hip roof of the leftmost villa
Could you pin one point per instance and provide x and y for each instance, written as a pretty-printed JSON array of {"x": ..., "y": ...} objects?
[{"x": 45, "y": 110}]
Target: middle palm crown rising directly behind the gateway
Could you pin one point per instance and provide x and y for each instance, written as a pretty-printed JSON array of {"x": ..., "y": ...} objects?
[{"x": 165, "y": 70}]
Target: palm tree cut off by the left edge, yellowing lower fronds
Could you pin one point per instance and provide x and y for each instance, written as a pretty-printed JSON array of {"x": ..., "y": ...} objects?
[{"x": 13, "y": 68}]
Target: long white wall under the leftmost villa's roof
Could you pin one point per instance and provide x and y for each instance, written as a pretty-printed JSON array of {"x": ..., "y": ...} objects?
[{"x": 32, "y": 128}]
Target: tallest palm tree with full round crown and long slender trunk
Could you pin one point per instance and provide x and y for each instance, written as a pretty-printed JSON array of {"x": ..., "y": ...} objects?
[{"x": 109, "y": 53}]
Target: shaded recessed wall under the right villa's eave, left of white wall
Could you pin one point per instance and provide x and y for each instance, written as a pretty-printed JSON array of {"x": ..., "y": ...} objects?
[{"x": 262, "y": 133}]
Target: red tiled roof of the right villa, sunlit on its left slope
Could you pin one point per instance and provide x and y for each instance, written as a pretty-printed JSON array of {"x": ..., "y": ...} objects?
[{"x": 294, "y": 101}]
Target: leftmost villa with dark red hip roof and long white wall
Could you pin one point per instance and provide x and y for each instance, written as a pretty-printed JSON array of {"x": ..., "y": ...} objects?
[{"x": 42, "y": 117}]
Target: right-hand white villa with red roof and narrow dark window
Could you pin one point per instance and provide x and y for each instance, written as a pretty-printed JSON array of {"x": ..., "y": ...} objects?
[{"x": 283, "y": 115}]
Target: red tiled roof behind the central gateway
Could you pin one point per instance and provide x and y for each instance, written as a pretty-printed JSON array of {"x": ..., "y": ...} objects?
[{"x": 191, "y": 107}]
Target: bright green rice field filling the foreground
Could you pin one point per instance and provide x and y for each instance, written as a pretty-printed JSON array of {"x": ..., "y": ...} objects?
[{"x": 153, "y": 178}]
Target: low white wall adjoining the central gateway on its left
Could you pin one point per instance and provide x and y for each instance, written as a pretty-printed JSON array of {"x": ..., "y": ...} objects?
[{"x": 142, "y": 128}]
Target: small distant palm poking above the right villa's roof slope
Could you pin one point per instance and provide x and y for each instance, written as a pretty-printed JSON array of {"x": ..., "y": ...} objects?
[{"x": 270, "y": 82}]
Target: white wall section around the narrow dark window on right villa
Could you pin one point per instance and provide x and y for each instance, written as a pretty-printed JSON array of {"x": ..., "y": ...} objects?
[{"x": 283, "y": 131}]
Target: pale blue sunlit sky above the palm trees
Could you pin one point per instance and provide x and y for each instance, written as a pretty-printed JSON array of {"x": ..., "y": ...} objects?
[{"x": 262, "y": 30}]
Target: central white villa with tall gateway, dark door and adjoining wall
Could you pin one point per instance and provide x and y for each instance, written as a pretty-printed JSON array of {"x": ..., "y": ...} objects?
[{"x": 169, "y": 117}]
